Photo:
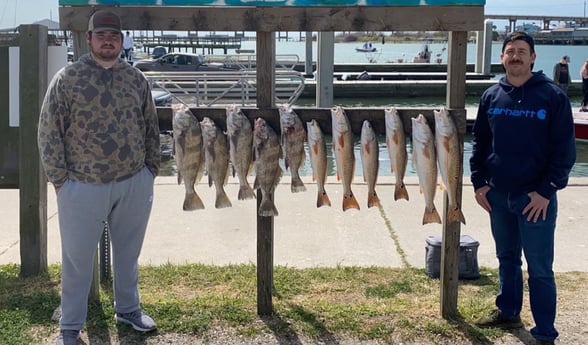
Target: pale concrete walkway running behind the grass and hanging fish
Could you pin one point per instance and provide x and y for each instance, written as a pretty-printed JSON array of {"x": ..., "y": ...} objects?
[{"x": 304, "y": 235}]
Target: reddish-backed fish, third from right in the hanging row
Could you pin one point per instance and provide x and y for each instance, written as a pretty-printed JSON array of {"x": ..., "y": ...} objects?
[{"x": 396, "y": 144}]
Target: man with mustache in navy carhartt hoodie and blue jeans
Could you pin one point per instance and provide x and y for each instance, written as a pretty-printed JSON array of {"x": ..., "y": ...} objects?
[{"x": 523, "y": 151}]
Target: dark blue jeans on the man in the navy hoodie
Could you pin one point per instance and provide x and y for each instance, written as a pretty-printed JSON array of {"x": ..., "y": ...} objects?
[{"x": 513, "y": 235}]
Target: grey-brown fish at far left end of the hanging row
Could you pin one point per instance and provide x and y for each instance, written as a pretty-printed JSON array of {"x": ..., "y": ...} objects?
[{"x": 188, "y": 153}]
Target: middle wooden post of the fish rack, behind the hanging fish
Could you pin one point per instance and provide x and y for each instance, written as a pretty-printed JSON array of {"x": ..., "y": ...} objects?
[{"x": 266, "y": 48}]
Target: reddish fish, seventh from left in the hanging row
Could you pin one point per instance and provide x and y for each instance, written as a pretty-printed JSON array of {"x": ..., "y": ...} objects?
[{"x": 344, "y": 156}]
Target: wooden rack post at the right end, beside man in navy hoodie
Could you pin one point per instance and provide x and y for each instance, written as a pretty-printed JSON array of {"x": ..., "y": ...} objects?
[{"x": 456, "y": 72}]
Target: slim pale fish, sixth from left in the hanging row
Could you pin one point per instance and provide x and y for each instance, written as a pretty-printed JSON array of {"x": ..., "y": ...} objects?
[{"x": 317, "y": 149}]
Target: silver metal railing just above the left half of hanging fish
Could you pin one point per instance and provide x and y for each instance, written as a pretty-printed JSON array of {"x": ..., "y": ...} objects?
[{"x": 207, "y": 89}]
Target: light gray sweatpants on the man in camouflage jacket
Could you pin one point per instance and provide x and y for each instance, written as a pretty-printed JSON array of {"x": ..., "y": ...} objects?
[{"x": 83, "y": 210}]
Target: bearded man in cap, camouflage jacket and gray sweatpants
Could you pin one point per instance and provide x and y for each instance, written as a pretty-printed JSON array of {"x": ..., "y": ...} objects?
[{"x": 99, "y": 144}]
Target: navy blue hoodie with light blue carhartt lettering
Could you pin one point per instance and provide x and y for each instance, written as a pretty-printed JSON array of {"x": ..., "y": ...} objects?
[{"x": 523, "y": 138}]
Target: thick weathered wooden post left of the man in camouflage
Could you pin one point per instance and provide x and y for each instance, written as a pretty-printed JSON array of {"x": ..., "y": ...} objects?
[{"x": 32, "y": 181}]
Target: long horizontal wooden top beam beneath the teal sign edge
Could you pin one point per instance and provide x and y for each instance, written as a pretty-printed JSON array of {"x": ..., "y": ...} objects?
[{"x": 268, "y": 19}]
